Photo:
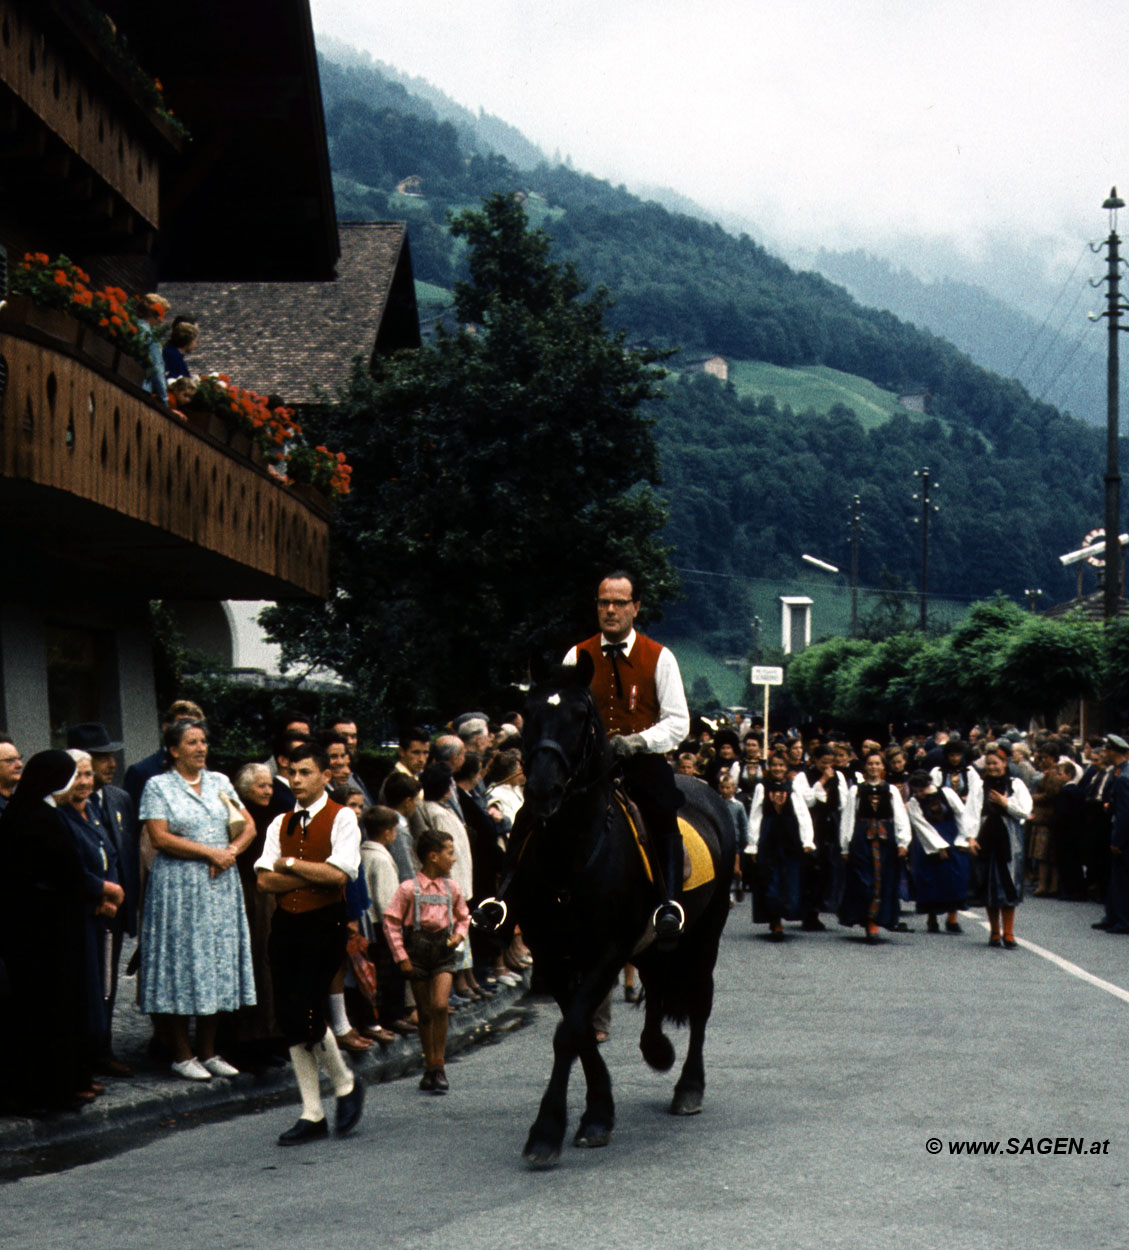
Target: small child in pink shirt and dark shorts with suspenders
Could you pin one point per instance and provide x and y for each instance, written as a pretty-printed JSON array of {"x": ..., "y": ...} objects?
[{"x": 427, "y": 921}]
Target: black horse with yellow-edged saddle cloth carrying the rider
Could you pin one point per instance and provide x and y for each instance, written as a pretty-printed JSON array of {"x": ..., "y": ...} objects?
[{"x": 583, "y": 898}]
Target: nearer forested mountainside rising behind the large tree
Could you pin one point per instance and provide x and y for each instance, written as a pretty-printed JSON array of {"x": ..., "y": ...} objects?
[{"x": 752, "y": 484}]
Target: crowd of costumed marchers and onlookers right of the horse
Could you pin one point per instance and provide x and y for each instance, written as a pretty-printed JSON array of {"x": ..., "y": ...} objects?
[{"x": 1055, "y": 789}]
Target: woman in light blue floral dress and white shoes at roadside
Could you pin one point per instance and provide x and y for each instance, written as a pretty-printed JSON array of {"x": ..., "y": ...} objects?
[{"x": 196, "y": 944}]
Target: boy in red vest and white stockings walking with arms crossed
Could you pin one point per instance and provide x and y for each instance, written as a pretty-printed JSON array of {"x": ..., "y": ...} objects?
[{"x": 308, "y": 857}]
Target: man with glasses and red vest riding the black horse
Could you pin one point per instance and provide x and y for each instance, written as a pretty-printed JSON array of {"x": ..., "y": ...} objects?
[{"x": 640, "y": 691}]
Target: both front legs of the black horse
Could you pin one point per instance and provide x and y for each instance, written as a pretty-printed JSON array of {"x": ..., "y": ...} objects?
[{"x": 575, "y": 1038}]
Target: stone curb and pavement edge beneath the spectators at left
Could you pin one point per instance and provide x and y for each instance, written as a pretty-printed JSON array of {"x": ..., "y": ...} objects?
[{"x": 136, "y": 1111}]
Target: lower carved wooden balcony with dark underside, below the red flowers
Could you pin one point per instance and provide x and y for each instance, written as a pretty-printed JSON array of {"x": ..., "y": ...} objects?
[{"x": 101, "y": 487}]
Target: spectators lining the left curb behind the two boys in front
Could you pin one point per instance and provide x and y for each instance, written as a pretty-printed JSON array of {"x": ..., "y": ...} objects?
[{"x": 171, "y": 857}]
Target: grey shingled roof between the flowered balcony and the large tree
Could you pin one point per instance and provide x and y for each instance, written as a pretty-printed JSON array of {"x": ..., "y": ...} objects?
[{"x": 299, "y": 339}]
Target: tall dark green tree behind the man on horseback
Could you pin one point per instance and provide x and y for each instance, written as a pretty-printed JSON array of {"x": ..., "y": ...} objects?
[{"x": 498, "y": 473}]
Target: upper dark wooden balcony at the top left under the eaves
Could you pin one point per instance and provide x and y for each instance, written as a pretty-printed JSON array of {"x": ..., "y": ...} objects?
[{"x": 76, "y": 139}]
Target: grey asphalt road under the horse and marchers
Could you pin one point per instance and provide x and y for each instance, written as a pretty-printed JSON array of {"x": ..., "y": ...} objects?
[{"x": 831, "y": 1066}]
